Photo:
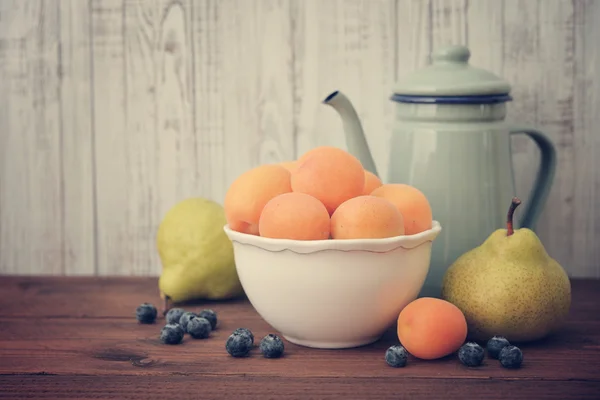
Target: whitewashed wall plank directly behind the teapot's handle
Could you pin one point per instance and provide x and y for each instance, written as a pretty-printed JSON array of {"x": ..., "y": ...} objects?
[{"x": 544, "y": 100}]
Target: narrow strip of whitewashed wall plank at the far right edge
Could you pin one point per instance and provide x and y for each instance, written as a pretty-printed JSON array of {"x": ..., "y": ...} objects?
[{"x": 586, "y": 141}]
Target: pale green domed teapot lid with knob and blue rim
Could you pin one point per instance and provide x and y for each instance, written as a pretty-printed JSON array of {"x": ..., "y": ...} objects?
[{"x": 450, "y": 79}]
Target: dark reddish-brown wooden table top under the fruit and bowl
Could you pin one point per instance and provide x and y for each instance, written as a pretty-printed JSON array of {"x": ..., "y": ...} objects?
[{"x": 78, "y": 338}]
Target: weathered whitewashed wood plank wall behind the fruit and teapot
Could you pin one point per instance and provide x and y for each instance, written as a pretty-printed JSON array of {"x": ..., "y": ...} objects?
[{"x": 111, "y": 111}]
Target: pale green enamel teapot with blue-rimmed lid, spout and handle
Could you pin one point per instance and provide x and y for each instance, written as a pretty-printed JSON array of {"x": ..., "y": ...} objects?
[{"x": 451, "y": 141}]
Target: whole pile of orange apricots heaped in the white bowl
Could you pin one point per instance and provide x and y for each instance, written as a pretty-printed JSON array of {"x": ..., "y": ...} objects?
[{"x": 324, "y": 194}]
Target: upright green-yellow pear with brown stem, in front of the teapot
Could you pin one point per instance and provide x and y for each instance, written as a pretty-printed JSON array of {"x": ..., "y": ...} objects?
[{"x": 509, "y": 286}]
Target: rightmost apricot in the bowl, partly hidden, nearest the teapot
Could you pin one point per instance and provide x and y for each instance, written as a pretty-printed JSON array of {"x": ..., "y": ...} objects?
[{"x": 411, "y": 202}]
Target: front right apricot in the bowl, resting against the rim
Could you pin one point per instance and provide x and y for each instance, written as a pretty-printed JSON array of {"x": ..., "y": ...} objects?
[{"x": 366, "y": 217}]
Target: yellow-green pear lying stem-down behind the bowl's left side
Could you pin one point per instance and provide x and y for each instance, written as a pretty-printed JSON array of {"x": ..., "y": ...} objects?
[{"x": 196, "y": 254}]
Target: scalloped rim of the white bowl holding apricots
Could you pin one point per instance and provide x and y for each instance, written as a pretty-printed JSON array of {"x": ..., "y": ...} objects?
[{"x": 312, "y": 246}]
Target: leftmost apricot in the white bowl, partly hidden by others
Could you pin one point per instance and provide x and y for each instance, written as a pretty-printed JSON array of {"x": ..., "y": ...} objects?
[{"x": 249, "y": 192}]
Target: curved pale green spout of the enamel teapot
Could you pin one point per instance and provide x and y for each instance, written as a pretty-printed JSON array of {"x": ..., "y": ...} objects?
[{"x": 355, "y": 137}]
